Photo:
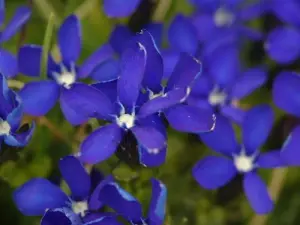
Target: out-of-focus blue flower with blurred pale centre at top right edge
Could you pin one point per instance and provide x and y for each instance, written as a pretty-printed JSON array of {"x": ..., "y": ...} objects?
[{"x": 223, "y": 18}]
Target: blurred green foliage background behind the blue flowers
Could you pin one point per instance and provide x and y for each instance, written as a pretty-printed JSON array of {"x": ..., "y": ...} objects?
[{"x": 188, "y": 203}]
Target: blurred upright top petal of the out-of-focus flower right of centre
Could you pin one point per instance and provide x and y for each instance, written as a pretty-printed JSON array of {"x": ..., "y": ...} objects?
[{"x": 227, "y": 59}]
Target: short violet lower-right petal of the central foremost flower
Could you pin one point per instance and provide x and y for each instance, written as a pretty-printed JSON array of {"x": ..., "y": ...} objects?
[{"x": 149, "y": 137}]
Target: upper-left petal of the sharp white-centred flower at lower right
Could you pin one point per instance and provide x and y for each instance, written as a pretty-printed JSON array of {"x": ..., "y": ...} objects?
[{"x": 222, "y": 138}]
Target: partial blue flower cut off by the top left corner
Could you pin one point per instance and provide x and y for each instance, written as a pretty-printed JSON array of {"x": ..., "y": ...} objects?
[{"x": 8, "y": 62}]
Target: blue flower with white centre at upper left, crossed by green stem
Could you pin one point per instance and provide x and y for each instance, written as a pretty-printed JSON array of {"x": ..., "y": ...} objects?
[{"x": 40, "y": 96}]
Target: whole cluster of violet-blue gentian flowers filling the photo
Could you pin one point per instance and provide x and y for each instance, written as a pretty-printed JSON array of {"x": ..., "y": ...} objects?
[{"x": 194, "y": 86}]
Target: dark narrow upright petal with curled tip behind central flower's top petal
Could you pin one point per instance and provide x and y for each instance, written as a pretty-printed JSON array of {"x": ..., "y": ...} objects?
[{"x": 154, "y": 64}]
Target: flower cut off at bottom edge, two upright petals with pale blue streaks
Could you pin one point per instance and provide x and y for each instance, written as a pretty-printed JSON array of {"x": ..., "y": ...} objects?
[{"x": 130, "y": 209}]
